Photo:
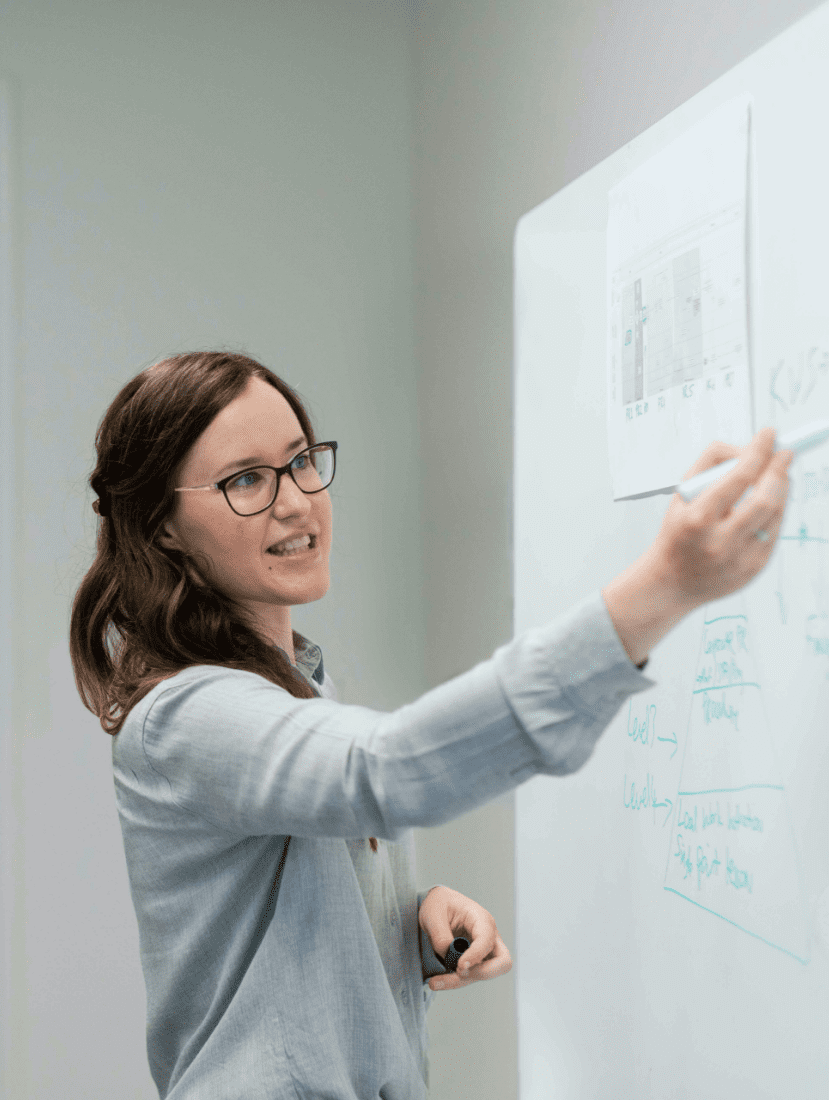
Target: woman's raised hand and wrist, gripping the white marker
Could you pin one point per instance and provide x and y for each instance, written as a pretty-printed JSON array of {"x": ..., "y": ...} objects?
[{"x": 706, "y": 549}]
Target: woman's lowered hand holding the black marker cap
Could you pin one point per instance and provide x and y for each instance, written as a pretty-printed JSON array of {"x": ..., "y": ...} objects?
[{"x": 446, "y": 915}]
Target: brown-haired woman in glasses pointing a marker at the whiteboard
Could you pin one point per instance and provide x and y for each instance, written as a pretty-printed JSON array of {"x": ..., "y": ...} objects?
[{"x": 242, "y": 783}]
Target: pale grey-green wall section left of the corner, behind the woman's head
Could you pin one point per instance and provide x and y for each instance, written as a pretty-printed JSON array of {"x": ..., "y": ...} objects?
[{"x": 190, "y": 174}]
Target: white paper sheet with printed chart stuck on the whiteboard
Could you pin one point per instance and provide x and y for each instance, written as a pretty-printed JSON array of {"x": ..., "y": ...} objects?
[{"x": 679, "y": 290}]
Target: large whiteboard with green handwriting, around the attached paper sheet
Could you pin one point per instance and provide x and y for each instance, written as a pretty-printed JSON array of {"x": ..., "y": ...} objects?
[{"x": 672, "y": 923}]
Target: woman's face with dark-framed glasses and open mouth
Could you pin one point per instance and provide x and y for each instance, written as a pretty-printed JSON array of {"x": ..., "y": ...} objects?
[{"x": 259, "y": 425}]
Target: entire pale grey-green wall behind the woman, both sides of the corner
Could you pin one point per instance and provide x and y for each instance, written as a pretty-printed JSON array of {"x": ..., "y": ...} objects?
[{"x": 330, "y": 185}]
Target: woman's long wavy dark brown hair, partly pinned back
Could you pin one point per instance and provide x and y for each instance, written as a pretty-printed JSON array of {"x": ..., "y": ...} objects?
[{"x": 138, "y": 617}]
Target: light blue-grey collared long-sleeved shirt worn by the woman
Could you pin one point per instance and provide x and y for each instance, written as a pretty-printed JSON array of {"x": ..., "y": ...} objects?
[{"x": 319, "y": 988}]
